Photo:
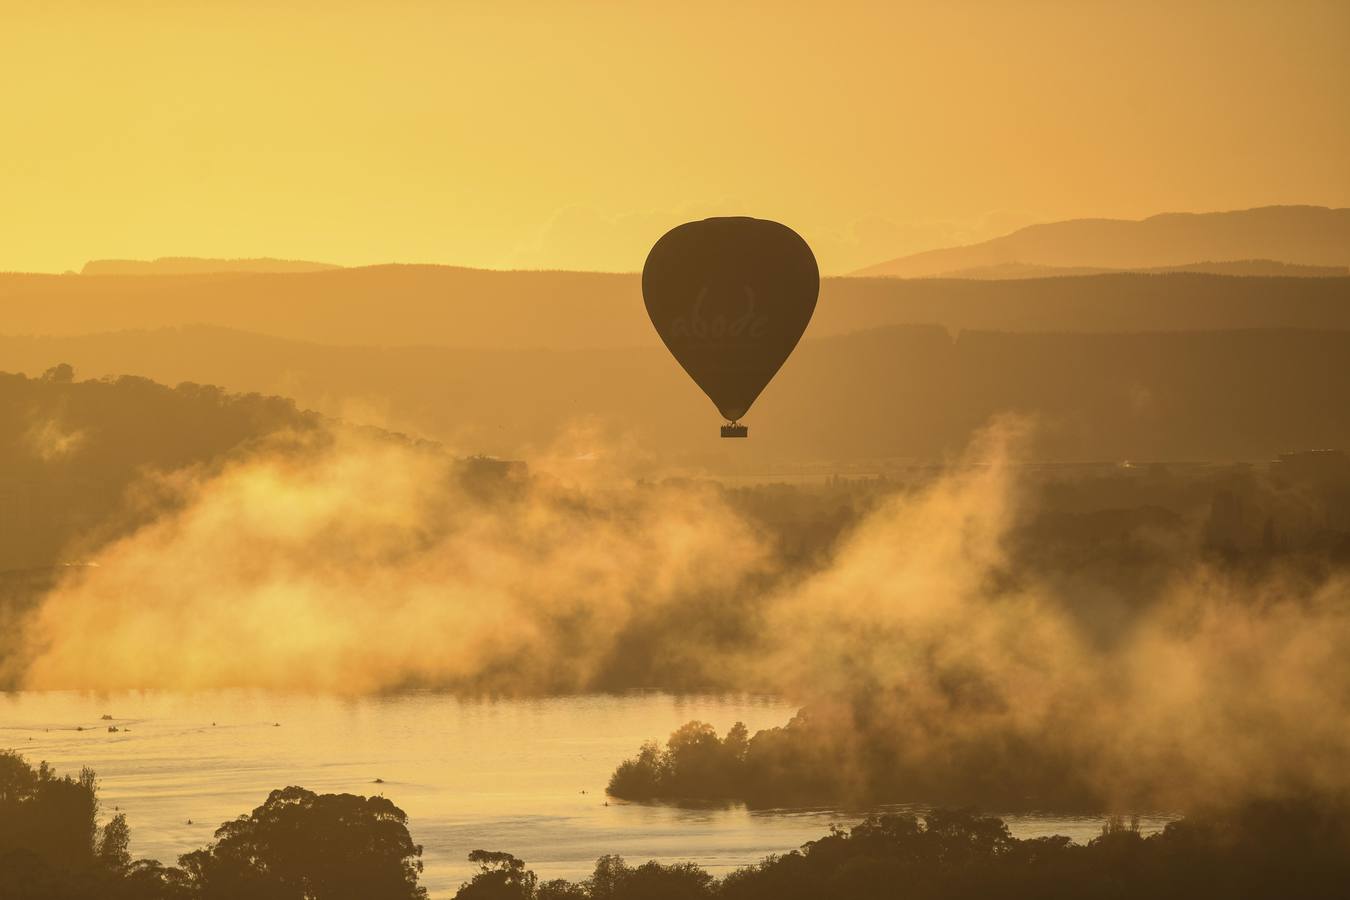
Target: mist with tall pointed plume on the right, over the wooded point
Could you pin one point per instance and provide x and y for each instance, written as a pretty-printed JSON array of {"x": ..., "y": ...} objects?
[{"x": 925, "y": 639}]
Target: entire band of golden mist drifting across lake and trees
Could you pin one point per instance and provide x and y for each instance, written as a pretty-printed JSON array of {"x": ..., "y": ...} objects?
[{"x": 372, "y": 566}]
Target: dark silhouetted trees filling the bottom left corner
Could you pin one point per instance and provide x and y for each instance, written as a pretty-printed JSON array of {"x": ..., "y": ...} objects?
[{"x": 296, "y": 847}]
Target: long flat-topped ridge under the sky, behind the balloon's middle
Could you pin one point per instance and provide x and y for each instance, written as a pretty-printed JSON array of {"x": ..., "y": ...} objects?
[{"x": 448, "y": 307}]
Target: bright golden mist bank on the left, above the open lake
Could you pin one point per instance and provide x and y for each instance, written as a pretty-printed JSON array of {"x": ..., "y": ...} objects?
[{"x": 375, "y": 566}]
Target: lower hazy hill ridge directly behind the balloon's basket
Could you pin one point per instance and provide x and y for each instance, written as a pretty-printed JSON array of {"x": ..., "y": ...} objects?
[{"x": 901, "y": 392}]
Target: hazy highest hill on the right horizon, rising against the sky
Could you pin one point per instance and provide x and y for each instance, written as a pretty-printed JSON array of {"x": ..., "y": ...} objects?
[{"x": 1299, "y": 235}]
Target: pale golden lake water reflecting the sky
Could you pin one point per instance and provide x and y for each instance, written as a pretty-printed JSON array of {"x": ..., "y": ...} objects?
[{"x": 526, "y": 777}]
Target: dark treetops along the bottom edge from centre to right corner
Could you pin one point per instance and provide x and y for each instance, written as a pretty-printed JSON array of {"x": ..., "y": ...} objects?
[{"x": 1270, "y": 849}]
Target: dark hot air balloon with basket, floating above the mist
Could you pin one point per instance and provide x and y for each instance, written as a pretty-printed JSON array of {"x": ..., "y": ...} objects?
[{"x": 731, "y": 299}]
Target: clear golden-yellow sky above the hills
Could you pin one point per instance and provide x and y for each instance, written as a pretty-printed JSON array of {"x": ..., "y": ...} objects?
[{"x": 572, "y": 136}]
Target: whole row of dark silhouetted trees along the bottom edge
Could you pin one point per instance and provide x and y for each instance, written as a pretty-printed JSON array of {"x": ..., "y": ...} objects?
[{"x": 306, "y": 847}]
